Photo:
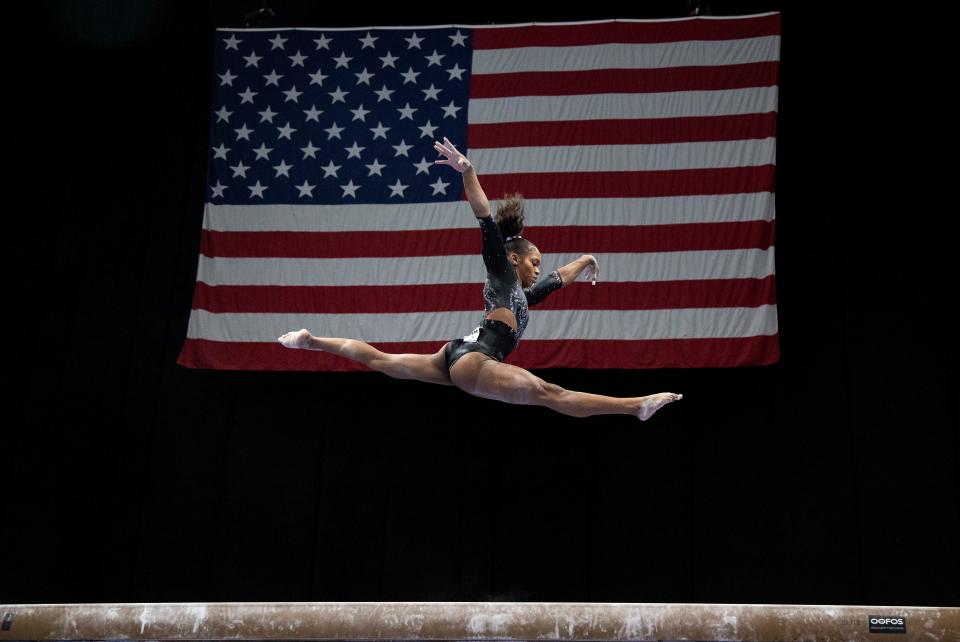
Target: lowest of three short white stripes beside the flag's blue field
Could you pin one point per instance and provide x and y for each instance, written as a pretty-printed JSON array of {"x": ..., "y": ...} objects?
[{"x": 626, "y": 158}]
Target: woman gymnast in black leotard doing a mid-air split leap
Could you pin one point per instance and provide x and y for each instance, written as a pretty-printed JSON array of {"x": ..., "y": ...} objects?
[{"x": 475, "y": 363}]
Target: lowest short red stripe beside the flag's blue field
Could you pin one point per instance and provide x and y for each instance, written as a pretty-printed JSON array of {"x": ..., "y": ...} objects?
[{"x": 680, "y": 182}]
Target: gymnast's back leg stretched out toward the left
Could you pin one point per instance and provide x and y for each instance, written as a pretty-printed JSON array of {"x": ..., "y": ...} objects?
[{"x": 431, "y": 368}]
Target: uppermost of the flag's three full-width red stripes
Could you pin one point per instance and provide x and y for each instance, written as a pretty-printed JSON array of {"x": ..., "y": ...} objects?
[{"x": 599, "y": 238}]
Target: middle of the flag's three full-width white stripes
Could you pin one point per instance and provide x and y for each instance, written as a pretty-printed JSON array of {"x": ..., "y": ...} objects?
[{"x": 614, "y": 267}]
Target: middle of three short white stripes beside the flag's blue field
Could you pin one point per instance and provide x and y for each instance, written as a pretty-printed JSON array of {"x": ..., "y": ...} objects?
[{"x": 672, "y": 104}]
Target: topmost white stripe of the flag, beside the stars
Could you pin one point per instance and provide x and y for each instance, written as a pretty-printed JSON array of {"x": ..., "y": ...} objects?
[{"x": 684, "y": 53}]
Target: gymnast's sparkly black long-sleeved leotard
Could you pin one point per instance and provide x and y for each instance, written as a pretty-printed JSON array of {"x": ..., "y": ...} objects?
[{"x": 502, "y": 290}]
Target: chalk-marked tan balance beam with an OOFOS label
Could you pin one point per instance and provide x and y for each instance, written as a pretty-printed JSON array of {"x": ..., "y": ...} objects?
[{"x": 477, "y": 621}]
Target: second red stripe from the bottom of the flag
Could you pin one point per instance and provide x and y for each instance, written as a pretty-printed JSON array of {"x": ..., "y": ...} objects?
[{"x": 659, "y": 295}]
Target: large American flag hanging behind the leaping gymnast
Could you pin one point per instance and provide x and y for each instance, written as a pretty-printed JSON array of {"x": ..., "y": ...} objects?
[{"x": 647, "y": 143}]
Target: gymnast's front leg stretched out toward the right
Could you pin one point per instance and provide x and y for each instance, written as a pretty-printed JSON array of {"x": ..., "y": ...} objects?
[{"x": 483, "y": 376}]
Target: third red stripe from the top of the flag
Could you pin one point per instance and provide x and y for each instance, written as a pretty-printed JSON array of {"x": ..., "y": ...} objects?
[{"x": 639, "y": 131}]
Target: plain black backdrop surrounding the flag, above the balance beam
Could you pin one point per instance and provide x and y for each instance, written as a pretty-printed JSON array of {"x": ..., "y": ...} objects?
[{"x": 830, "y": 477}]
